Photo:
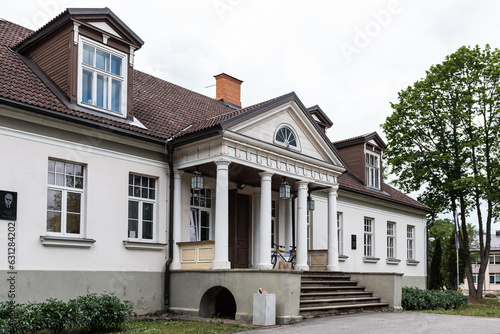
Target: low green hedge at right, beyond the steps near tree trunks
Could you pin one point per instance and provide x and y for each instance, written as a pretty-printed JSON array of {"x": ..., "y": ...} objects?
[{"x": 417, "y": 299}]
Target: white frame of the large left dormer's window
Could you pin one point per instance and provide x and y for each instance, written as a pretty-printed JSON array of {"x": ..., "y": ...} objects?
[{"x": 94, "y": 70}]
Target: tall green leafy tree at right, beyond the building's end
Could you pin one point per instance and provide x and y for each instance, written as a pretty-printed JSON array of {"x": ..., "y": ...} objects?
[{"x": 443, "y": 139}]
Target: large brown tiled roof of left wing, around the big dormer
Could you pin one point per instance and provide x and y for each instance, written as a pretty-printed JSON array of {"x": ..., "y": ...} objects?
[{"x": 164, "y": 108}]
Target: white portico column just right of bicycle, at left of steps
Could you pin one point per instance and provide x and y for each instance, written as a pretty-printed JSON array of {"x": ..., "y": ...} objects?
[{"x": 302, "y": 226}]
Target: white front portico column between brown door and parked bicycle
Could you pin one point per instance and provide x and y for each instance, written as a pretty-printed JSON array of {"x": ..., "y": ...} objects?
[{"x": 265, "y": 221}]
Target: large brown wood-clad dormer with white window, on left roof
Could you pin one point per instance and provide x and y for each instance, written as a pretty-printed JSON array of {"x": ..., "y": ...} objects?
[{"x": 86, "y": 56}]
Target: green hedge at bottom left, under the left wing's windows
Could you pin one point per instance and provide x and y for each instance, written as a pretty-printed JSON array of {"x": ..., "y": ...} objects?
[{"x": 90, "y": 313}]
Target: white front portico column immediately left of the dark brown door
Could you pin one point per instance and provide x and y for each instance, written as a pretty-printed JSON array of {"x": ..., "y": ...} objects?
[{"x": 221, "y": 257}]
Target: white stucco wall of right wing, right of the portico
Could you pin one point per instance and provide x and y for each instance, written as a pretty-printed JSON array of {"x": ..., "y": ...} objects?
[{"x": 353, "y": 211}]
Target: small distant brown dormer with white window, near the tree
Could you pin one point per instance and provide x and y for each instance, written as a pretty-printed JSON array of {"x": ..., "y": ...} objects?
[{"x": 363, "y": 155}]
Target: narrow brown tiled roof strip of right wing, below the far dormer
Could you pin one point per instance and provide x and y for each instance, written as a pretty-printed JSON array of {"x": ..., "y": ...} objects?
[{"x": 350, "y": 183}]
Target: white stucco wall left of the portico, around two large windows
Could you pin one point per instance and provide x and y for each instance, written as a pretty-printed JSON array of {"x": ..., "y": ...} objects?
[{"x": 24, "y": 170}]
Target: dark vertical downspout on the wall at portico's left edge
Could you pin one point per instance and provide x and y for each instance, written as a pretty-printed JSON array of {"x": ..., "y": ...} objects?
[{"x": 170, "y": 151}]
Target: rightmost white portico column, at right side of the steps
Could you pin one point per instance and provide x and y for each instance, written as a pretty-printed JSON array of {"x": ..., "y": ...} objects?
[{"x": 333, "y": 244}]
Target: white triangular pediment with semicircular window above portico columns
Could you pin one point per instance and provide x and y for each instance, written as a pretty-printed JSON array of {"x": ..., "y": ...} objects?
[{"x": 264, "y": 126}]
